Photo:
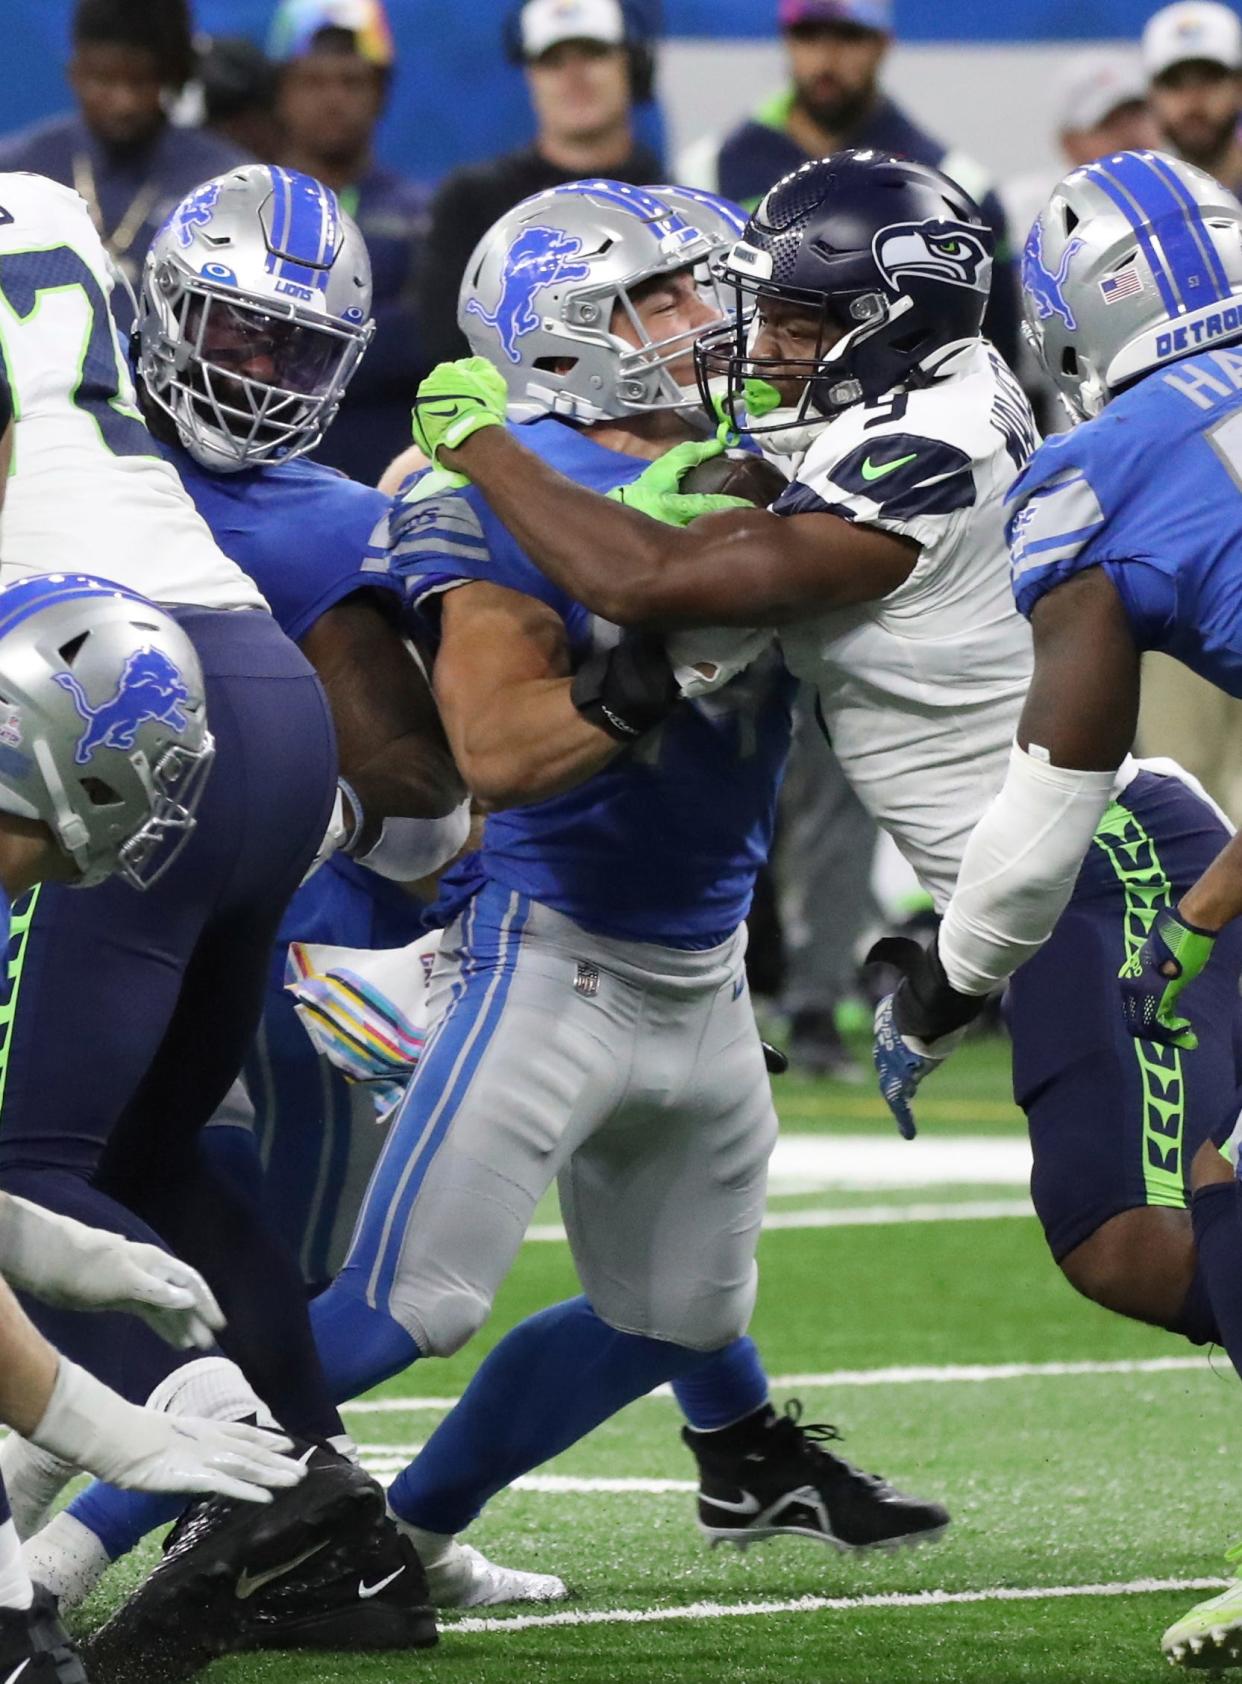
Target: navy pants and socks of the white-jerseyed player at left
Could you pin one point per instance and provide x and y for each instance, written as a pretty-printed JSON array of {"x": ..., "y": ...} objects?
[{"x": 130, "y": 1015}]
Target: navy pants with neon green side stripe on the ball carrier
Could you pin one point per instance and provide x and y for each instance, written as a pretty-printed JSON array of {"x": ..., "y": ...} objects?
[{"x": 1115, "y": 1122}]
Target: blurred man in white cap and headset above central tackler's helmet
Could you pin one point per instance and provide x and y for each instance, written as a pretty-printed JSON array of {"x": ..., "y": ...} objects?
[{"x": 586, "y": 65}]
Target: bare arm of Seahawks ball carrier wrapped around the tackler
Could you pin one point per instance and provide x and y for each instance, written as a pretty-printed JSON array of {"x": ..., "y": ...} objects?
[{"x": 741, "y": 568}]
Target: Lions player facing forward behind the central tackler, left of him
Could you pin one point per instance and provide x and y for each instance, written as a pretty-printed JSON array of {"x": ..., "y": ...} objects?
[{"x": 213, "y": 356}]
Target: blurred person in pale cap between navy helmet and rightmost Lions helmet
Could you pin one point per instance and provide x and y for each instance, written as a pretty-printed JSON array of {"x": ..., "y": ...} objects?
[{"x": 1101, "y": 109}]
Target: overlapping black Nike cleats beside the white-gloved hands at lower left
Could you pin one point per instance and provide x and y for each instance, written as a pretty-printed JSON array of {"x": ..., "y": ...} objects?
[{"x": 322, "y": 1567}]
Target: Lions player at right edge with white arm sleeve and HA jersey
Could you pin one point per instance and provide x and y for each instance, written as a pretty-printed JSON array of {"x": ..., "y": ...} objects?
[{"x": 1125, "y": 536}]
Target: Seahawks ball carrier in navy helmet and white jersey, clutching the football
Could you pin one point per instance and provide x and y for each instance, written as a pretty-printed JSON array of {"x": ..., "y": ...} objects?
[{"x": 886, "y": 573}]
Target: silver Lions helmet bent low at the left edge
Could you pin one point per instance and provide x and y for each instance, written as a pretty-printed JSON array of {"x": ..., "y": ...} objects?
[{"x": 103, "y": 725}]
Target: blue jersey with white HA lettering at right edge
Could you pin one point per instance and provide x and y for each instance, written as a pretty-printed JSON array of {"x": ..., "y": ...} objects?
[{"x": 1152, "y": 493}]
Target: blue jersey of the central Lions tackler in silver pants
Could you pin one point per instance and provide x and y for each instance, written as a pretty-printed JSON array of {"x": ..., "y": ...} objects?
[{"x": 664, "y": 845}]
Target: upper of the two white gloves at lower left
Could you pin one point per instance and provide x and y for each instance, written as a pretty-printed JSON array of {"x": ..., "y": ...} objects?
[{"x": 75, "y": 1267}]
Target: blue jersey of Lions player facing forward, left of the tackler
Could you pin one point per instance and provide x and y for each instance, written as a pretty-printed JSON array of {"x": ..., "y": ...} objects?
[{"x": 305, "y": 535}]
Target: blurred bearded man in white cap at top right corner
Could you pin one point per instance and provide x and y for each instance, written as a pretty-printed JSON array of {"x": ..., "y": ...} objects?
[{"x": 1194, "y": 56}]
